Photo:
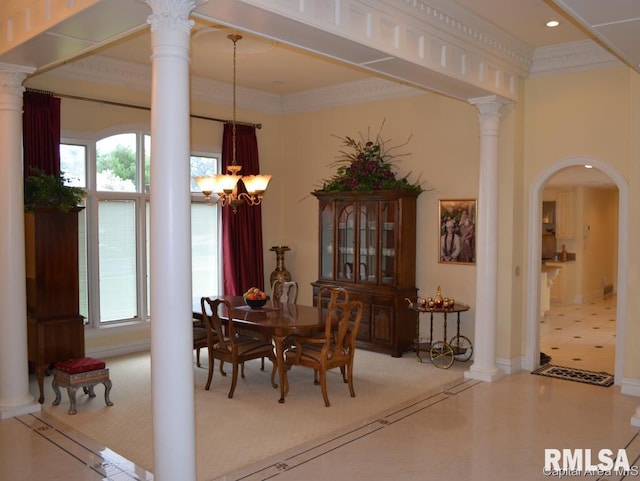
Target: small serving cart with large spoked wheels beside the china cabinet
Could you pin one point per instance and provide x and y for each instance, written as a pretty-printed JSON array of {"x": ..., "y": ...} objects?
[{"x": 443, "y": 353}]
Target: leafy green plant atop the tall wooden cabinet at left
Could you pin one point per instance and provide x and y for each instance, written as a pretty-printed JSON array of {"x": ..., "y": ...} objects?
[{"x": 46, "y": 190}]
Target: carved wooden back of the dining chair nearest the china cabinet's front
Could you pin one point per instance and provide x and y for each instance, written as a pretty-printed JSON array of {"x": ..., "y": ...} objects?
[{"x": 341, "y": 329}]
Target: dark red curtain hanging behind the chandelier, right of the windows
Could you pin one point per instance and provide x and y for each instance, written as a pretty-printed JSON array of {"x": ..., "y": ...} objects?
[{"x": 241, "y": 231}]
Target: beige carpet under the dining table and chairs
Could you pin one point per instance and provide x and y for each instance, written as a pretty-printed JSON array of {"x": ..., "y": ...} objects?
[{"x": 232, "y": 433}]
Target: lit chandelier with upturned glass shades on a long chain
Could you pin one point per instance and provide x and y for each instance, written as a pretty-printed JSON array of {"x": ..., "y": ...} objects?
[{"x": 223, "y": 188}]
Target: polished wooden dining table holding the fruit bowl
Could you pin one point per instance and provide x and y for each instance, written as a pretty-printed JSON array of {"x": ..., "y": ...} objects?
[{"x": 275, "y": 320}]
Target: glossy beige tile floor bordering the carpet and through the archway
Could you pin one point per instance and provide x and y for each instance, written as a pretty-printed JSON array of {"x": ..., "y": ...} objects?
[{"x": 468, "y": 430}]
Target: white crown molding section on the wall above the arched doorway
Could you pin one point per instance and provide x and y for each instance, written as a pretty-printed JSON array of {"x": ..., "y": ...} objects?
[{"x": 571, "y": 57}]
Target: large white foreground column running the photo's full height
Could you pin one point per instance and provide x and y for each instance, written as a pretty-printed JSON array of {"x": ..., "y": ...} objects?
[{"x": 172, "y": 377}]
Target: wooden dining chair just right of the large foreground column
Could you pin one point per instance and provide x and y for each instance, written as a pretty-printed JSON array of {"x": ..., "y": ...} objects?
[{"x": 231, "y": 346}]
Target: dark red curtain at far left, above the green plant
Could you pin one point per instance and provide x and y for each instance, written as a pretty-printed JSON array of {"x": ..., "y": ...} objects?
[{"x": 41, "y": 132}]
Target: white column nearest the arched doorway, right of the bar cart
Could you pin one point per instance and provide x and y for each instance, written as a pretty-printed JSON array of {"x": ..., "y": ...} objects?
[{"x": 484, "y": 365}]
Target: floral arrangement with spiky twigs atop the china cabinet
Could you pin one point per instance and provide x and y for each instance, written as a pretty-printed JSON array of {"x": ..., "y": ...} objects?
[{"x": 366, "y": 166}]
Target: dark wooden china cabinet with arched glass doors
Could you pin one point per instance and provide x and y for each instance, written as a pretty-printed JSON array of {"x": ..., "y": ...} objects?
[{"x": 367, "y": 244}]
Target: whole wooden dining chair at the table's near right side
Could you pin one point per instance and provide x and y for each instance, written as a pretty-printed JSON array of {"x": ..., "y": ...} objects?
[{"x": 335, "y": 349}]
